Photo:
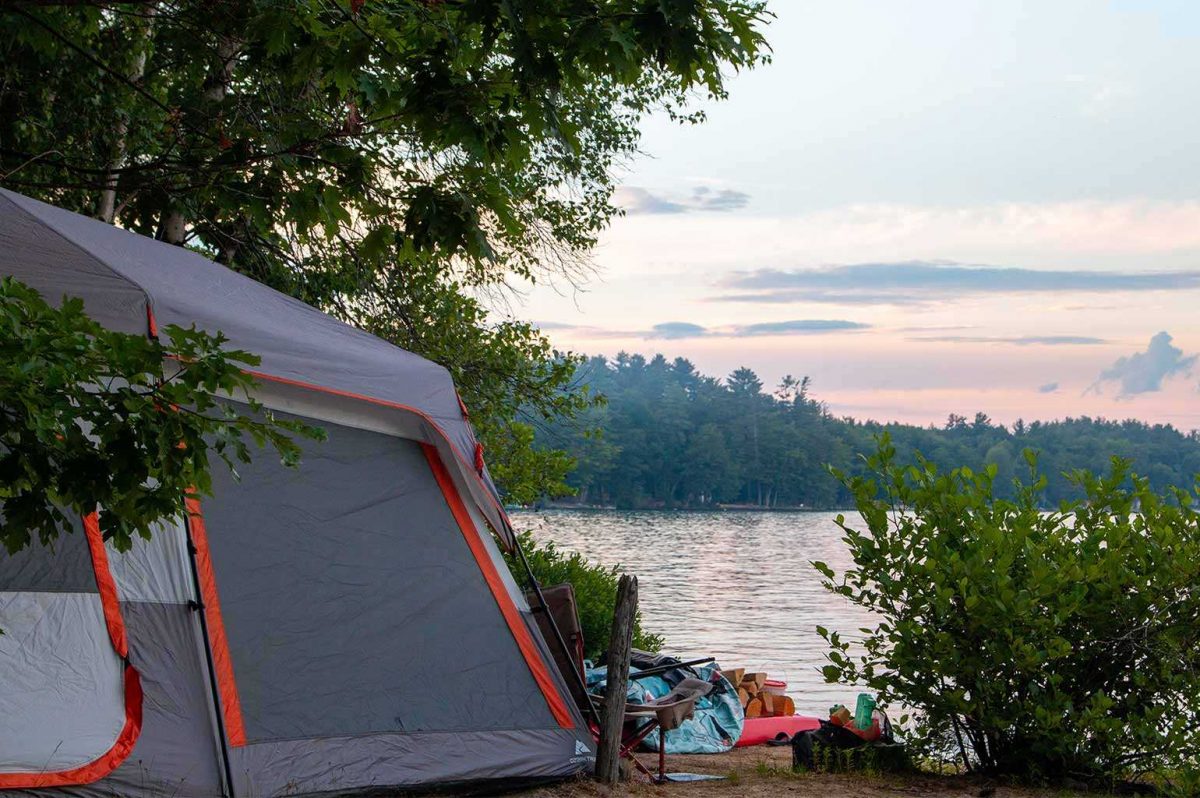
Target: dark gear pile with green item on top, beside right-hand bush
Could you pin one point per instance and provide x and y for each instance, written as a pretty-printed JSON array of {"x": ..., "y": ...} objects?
[{"x": 850, "y": 742}]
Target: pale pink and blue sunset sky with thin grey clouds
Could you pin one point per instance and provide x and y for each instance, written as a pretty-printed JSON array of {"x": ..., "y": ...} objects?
[{"x": 928, "y": 208}]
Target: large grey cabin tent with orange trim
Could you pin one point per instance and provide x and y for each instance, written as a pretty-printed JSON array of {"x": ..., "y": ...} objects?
[{"x": 343, "y": 627}]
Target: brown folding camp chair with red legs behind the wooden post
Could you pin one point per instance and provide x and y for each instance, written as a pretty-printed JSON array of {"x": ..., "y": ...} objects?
[{"x": 559, "y": 620}]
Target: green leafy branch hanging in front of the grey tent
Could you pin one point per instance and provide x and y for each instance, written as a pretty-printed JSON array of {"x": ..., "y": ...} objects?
[{"x": 89, "y": 419}]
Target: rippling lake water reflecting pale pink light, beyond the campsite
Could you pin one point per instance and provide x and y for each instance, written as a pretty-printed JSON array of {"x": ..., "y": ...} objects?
[{"x": 734, "y": 585}]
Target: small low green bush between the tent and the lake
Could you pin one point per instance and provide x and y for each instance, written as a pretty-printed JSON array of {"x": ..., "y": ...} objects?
[{"x": 596, "y": 592}]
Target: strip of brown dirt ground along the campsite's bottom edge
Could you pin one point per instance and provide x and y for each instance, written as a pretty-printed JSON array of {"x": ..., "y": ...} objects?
[{"x": 766, "y": 771}]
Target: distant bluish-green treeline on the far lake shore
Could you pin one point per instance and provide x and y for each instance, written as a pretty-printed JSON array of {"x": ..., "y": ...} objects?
[{"x": 671, "y": 437}]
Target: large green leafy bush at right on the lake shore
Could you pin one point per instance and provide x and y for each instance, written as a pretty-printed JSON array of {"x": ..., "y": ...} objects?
[{"x": 1029, "y": 643}]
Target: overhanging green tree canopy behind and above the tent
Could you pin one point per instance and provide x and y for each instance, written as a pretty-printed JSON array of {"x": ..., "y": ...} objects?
[{"x": 397, "y": 163}]
